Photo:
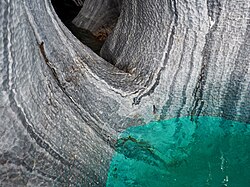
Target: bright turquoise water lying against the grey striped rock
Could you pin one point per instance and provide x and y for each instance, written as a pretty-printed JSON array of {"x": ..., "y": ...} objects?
[{"x": 179, "y": 152}]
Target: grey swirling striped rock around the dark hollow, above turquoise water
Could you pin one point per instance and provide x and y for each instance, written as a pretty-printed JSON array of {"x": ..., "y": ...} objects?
[{"x": 62, "y": 106}]
